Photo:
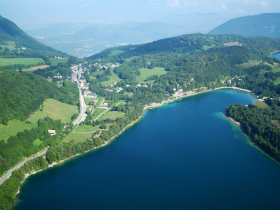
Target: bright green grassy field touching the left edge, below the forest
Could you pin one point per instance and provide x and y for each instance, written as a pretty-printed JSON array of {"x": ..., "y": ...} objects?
[{"x": 13, "y": 127}]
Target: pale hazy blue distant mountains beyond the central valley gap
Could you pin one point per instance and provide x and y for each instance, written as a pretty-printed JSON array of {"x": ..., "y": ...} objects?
[{"x": 94, "y": 39}]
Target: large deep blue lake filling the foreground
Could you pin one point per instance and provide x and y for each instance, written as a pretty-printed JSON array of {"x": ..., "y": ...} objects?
[{"x": 184, "y": 155}]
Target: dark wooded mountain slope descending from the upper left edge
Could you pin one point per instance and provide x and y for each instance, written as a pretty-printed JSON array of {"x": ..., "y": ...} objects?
[{"x": 9, "y": 31}]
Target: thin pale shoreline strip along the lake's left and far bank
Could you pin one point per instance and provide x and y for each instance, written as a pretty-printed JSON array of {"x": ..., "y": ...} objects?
[{"x": 146, "y": 107}]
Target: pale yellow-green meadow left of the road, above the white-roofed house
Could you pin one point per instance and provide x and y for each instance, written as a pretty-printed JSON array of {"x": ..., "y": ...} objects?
[{"x": 55, "y": 110}]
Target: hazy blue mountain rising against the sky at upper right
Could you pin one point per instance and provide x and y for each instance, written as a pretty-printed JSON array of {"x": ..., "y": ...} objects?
[{"x": 267, "y": 24}]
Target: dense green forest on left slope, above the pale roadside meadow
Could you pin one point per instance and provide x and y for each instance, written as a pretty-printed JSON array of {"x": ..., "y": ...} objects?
[{"x": 23, "y": 93}]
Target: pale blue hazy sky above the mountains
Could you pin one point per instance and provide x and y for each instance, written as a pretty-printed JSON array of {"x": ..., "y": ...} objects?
[{"x": 115, "y": 11}]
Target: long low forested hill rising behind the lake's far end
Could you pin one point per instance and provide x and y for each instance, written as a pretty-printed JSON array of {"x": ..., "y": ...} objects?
[{"x": 204, "y": 58}]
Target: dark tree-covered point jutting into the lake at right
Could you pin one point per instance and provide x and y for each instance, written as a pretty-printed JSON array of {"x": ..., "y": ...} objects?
[{"x": 261, "y": 125}]
